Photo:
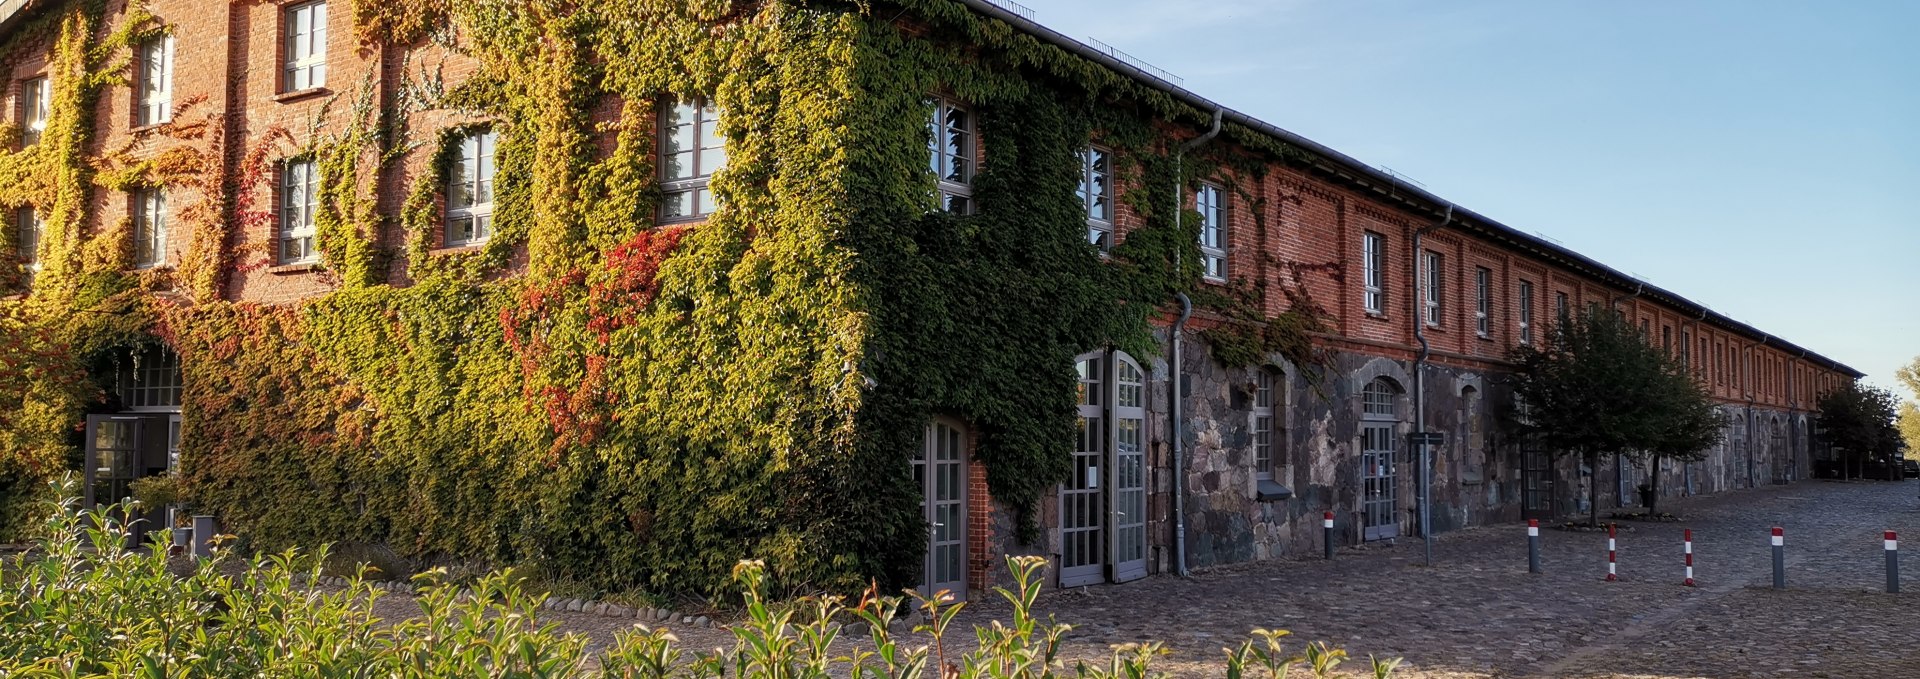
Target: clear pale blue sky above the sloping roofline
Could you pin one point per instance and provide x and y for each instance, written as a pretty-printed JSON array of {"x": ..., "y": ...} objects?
[{"x": 1756, "y": 156}]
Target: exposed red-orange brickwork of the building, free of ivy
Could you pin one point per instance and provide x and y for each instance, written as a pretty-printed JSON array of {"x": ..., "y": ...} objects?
[{"x": 229, "y": 55}]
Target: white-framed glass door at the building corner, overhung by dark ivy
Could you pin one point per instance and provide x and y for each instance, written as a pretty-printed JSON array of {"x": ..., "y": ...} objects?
[{"x": 942, "y": 471}]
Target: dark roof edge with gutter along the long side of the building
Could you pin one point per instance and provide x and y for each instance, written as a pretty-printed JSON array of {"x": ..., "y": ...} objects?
[{"x": 1347, "y": 166}]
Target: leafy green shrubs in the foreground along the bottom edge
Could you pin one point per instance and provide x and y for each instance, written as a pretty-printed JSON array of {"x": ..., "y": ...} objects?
[{"x": 84, "y": 607}]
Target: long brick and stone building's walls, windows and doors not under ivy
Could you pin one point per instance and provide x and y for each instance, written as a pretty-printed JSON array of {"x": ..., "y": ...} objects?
[{"x": 1266, "y": 450}]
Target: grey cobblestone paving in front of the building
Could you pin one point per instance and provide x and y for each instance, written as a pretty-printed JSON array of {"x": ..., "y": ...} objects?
[{"x": 1479, "y": 615}]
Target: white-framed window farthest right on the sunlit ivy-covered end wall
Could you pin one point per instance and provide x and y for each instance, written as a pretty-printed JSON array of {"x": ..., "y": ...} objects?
[{"x": 692, "y": 151}]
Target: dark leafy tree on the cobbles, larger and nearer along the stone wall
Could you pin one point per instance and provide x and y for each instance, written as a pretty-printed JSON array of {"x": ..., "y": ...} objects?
[{"x": 1598, "y": 388}]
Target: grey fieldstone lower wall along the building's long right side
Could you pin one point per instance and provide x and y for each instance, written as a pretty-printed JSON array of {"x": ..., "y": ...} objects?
[{"x": 1318, "y": 438}]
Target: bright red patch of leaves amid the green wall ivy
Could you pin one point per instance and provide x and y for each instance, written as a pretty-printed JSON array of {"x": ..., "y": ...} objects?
[{"x": 579, "y": 408}]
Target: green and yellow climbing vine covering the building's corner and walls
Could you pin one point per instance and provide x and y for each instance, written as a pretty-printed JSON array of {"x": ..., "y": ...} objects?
[{"x": 621, "y": 402}]
